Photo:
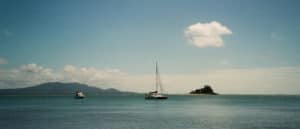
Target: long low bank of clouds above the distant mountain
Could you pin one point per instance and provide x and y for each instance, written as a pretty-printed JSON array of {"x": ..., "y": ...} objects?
[{"x": 32, "y": 74}]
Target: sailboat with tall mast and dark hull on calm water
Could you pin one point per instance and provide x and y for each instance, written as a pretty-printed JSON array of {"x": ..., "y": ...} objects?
[{"x": 157, "y": 94}]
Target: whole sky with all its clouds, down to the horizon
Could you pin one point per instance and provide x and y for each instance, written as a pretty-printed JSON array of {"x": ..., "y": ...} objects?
[{"x": 237, "y": 47}]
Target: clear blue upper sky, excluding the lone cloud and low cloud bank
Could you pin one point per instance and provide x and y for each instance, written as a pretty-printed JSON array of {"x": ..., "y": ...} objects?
[{"x": 130, "y": 35}]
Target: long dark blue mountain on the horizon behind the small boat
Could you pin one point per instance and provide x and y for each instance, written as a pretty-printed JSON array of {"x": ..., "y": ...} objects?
[{"x": 59, "y": 88}]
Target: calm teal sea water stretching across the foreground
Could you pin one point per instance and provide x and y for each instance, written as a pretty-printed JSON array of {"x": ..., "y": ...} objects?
[{"x": 133, "y": 112}]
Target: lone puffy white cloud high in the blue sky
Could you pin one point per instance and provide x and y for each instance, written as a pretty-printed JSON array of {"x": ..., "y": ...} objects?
[{"x": 207, "y": 34}]
